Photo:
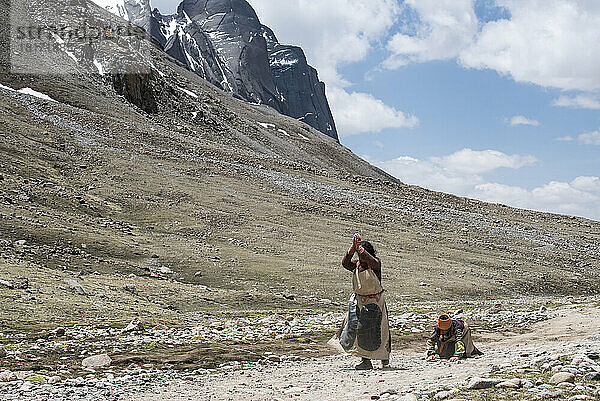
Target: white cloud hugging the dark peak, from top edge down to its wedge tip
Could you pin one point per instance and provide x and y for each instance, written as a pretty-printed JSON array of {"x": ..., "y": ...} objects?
[{"x": 333, "y": 33}]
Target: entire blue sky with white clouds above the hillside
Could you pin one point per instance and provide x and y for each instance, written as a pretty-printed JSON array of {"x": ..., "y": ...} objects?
[{"x": 497, "y": 100}]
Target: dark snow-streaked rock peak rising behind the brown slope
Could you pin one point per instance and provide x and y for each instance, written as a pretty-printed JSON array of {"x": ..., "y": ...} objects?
[{"x": 224, "y": 42}]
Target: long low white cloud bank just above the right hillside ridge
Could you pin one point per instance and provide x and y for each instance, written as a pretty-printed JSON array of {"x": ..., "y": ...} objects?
[{"x": 579, "y": 197}]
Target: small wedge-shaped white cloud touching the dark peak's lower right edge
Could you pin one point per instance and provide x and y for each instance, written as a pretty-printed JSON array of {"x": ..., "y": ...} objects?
[{"x": 361, "y": 112}]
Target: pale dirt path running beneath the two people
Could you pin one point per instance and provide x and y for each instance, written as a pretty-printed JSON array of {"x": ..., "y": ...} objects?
[{"x": 333, "y": 378}]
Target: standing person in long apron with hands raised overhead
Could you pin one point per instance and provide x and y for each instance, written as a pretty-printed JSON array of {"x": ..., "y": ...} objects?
[{"x": 365, "y": 331}]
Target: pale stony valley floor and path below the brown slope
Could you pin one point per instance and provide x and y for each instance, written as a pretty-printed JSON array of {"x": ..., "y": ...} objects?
[{"x": 547, "y": 352}]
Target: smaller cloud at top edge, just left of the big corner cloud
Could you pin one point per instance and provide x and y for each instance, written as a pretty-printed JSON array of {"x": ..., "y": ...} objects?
[{"x": 446, "y": 27}]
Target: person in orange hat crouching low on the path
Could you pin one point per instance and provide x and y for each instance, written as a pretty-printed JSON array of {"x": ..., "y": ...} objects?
[{"x": 451, "y": 339}]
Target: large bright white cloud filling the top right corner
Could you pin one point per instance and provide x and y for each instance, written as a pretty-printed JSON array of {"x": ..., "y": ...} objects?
[{"x": 546, "y": 42}]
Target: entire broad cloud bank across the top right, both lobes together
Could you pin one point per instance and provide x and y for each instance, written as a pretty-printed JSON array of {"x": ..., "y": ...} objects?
[{"x": 545, "y": 42}]
